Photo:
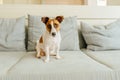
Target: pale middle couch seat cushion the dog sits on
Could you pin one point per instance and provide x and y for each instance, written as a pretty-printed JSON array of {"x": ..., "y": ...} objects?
[{"x": 73, "y": 66}]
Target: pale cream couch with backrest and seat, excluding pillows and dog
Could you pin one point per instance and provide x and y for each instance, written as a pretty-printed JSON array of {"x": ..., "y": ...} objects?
[{"x": 83, "y": 64}]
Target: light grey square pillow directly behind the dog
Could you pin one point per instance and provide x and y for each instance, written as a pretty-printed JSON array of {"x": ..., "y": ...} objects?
[{"x": 69, "y": 33}]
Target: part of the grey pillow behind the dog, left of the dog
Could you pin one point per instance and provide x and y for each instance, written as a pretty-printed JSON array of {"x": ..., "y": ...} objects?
[{"x": 35, "y": 29}]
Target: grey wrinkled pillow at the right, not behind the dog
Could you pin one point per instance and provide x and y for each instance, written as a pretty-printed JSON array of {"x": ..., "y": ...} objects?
[{"x": 105, "y": 37}]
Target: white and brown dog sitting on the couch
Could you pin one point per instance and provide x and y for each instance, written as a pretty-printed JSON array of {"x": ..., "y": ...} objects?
[{"x": 50, "y": 41}]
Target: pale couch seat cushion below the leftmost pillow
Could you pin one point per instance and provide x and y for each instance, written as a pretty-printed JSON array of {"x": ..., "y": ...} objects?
[{"x": 8, "y": 60}]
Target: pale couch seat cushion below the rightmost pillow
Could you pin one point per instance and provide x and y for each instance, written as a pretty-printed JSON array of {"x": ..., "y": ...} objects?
[{"x": 109, "y": 58}]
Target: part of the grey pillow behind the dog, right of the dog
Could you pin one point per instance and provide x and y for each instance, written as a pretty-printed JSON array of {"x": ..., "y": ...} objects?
[{"x": 69, "y": 33}]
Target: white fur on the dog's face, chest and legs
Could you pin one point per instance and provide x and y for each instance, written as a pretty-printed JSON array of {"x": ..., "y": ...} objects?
[{"x": 50, "y": 44}]
